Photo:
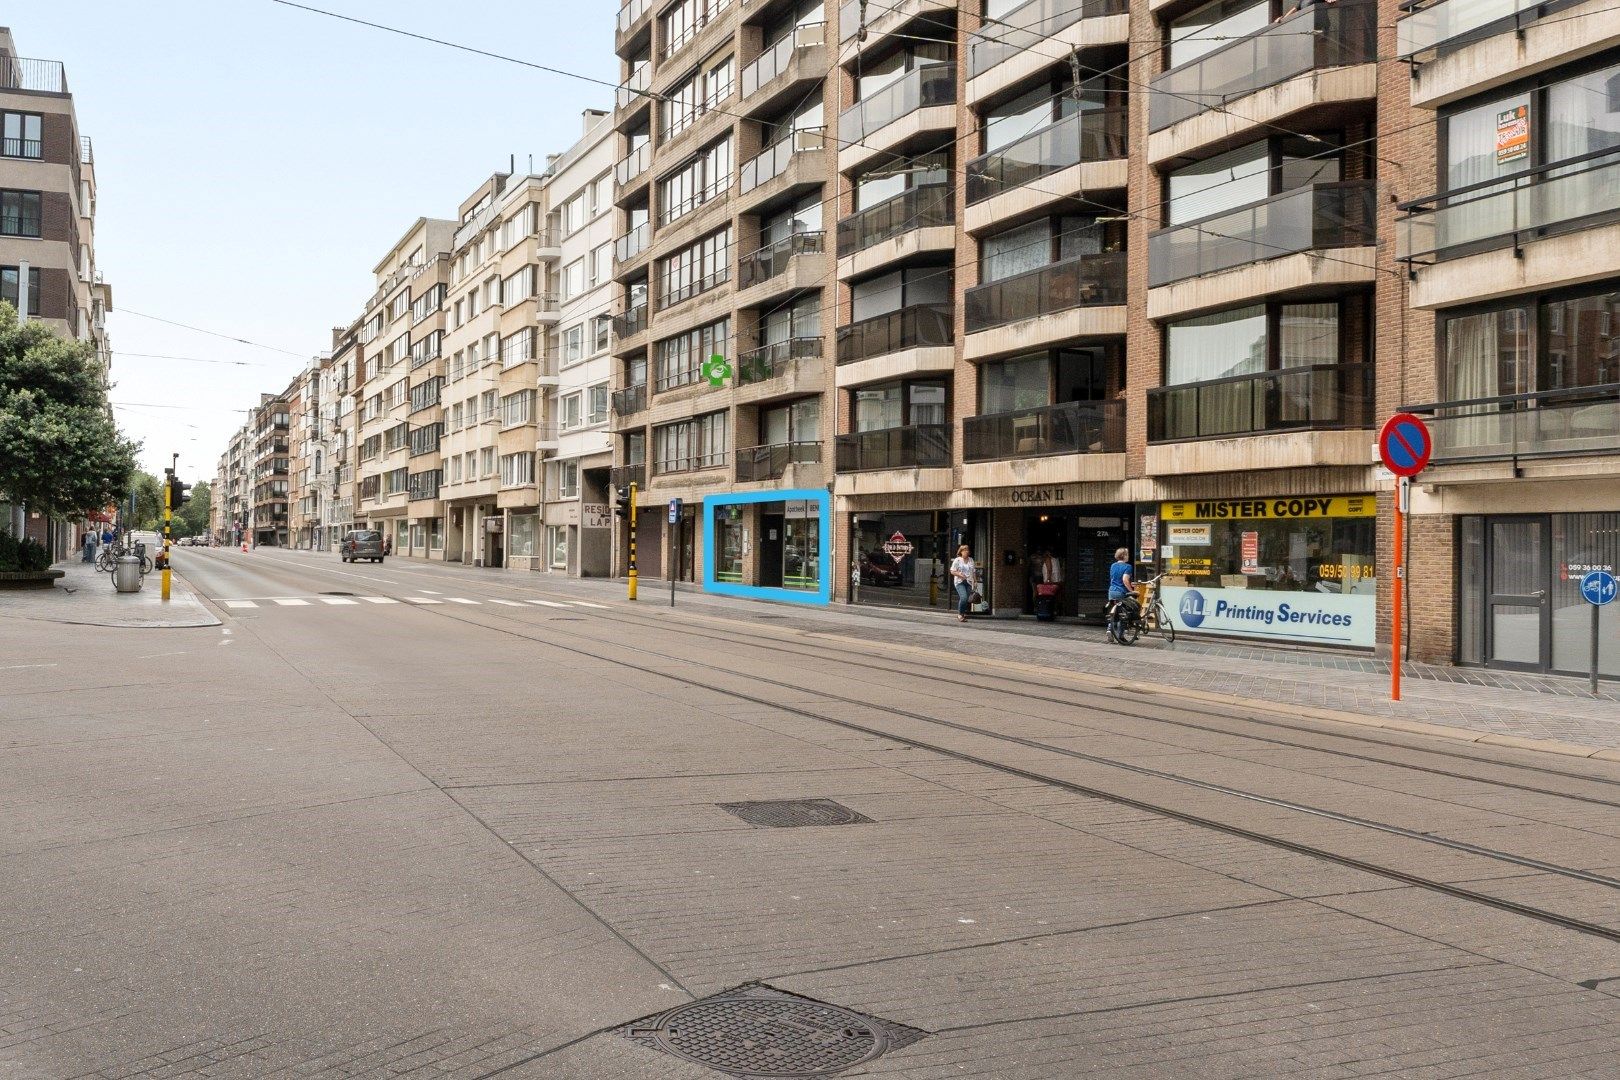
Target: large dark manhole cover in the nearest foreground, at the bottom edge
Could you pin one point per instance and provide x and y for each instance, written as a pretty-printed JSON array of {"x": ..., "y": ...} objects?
[{"x": 762, "y": 1032}]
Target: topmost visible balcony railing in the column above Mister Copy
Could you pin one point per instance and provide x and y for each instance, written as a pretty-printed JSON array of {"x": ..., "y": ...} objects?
[{"x": 1323, "y": 36}]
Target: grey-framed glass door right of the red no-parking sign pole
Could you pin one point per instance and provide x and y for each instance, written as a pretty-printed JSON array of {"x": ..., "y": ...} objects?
[{"x": 1519, "y": 558}]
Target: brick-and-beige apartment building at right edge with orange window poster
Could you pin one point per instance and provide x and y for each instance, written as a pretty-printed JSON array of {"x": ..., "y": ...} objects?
[{"x": 1507, "y": 124}]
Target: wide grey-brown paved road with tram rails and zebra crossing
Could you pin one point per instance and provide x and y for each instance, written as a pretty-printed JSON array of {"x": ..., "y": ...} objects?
[{"x": 417, "y": 822}]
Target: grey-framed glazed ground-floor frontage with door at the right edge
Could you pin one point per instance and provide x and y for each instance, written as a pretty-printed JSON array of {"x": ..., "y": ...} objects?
[{"x": 1520, "y": 592}]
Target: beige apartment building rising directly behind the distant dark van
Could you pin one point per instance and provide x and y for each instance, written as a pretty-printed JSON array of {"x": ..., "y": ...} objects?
[{"x": 399, "y": 378}]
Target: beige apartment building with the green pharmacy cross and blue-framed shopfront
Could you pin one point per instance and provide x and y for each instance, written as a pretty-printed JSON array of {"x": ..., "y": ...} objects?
[{"x": 723, "y": 398}]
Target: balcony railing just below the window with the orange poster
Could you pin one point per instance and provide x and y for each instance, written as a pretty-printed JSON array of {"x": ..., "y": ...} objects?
[{"x": 1512, "y": 211}]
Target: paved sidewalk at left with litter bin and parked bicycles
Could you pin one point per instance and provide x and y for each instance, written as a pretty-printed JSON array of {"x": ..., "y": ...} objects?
[{"x": 85, "y": 597}]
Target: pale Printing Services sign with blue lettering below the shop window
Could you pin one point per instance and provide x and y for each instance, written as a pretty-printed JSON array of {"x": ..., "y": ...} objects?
[{"x": 1282, "y": 616}]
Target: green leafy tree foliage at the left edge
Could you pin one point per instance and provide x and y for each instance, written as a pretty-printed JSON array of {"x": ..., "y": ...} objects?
[{"x": 61, "y": 451}]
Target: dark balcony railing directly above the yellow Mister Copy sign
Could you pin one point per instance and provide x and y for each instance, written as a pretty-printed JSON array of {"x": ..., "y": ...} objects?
[{"x": 1323, "y": 398}]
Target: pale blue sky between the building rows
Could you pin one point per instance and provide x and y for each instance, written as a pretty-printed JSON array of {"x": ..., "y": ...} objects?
[{"x": 255, "y": 163}]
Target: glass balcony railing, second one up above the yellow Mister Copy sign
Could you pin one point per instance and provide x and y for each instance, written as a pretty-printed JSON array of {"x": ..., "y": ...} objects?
[{"x": 1308, "y": 219}]
